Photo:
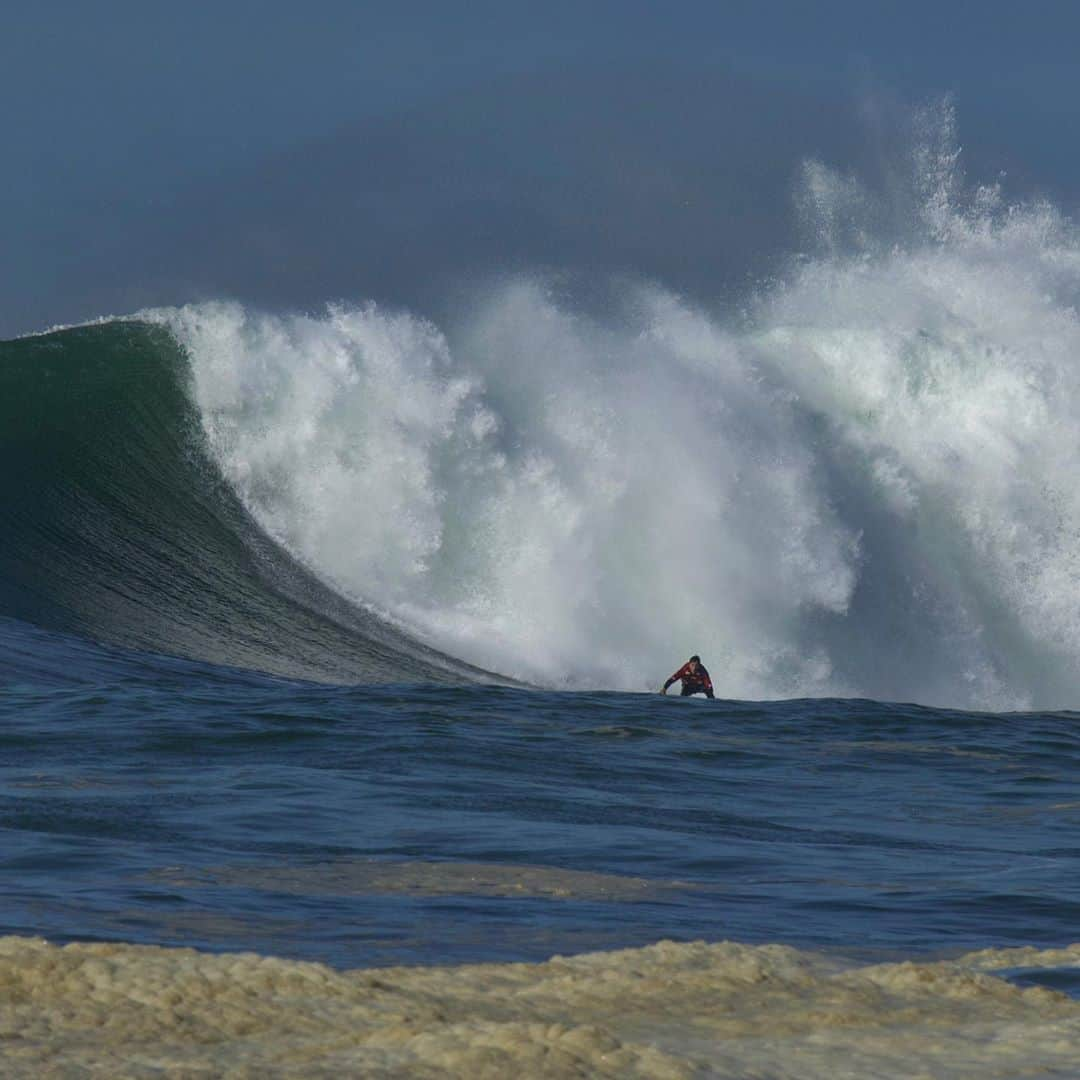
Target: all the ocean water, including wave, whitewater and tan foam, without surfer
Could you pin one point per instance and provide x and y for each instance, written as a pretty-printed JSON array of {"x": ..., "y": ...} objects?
[{"x": 330, "y": 646}]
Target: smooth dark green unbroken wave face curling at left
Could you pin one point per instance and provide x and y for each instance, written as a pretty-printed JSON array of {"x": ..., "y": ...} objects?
[{"x": 118, "y": 526}]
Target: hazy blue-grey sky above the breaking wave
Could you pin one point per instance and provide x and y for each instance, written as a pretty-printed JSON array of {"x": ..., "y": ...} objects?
[{"x": 287, "y": 154}]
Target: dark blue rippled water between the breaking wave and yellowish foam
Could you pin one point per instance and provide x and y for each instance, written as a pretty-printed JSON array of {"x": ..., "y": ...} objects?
[{"x": 168, "y": 802}]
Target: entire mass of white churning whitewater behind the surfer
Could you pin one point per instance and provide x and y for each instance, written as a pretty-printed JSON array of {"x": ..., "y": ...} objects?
[{"x": 867, "y": 487}]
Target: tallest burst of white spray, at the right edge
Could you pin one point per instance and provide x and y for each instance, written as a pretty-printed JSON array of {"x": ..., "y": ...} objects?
[{"x": 942, "y": 374}]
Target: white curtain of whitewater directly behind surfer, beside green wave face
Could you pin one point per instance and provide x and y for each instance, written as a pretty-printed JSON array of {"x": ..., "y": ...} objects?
[{"x": 572, "y": 505}]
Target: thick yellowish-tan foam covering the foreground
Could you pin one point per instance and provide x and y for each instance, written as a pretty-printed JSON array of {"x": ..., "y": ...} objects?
[{"x": 666, "y": 1011}]
